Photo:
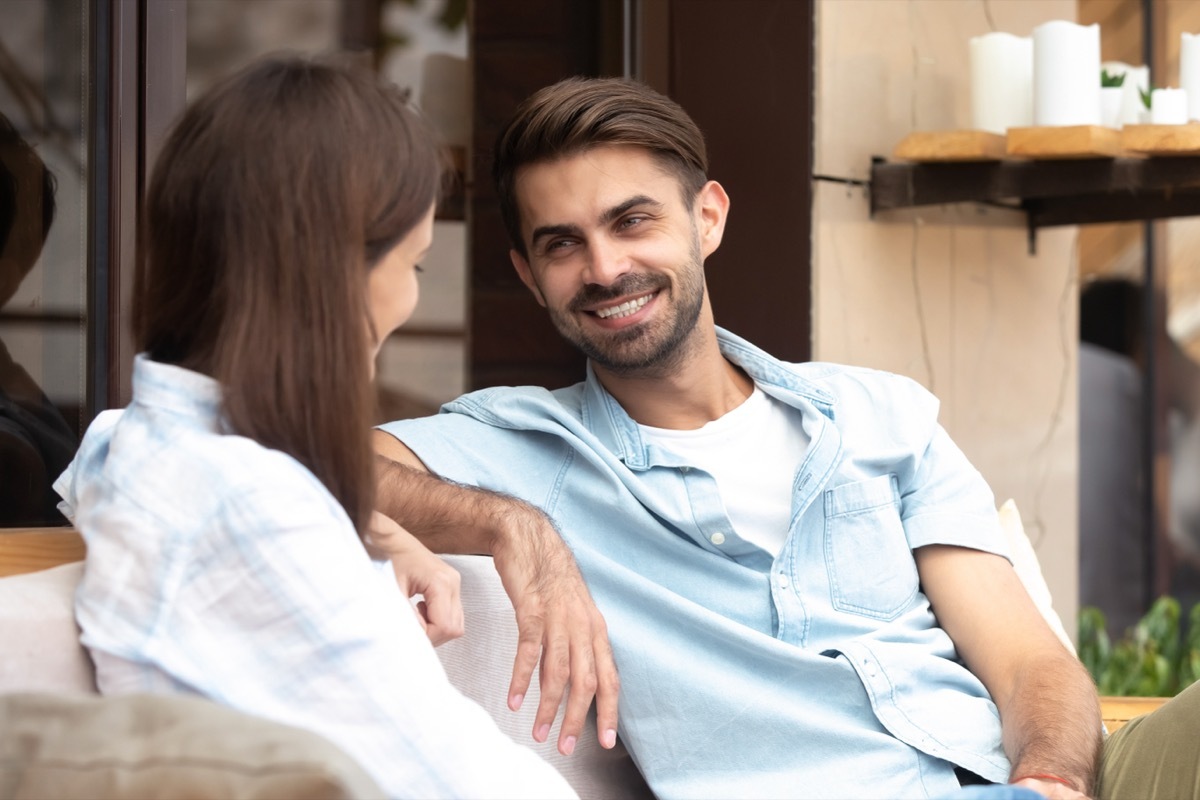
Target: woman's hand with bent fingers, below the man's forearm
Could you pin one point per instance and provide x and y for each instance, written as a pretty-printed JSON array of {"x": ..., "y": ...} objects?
[{"x": 421, "y": 573}]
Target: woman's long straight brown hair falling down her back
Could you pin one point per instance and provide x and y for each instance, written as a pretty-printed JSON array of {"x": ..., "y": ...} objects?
[{"x": 273, "y": 197}]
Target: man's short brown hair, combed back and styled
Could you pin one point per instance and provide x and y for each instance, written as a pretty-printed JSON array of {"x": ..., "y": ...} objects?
[{"x": 578, "y": 115}]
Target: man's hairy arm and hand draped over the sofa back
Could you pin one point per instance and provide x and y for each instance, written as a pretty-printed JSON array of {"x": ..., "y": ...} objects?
[{"x": 557, "y": 621}]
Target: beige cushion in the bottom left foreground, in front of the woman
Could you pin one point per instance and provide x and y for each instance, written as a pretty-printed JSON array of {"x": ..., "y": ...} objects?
[{"x": 164, "y": 747}]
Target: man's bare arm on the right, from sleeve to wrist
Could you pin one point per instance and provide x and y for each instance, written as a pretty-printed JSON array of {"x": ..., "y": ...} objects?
[{"x": 1048, "y": 706}]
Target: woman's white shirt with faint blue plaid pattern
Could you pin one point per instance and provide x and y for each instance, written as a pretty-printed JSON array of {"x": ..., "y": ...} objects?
[{"x": 220, "y": 568}]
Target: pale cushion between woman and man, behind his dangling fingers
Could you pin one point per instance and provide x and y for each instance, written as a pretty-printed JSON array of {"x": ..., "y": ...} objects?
[{"x": 481, "y": 666}]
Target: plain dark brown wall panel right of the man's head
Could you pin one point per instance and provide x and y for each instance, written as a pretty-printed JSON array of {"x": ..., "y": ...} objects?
[{"x": 753, "y": 99}]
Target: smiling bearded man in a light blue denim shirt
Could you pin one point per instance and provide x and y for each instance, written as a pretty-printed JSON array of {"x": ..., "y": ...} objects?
[{"x": 805, "y": 580}]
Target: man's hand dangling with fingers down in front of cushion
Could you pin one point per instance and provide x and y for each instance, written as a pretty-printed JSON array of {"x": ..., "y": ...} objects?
[{"x": 560, "y": 627}]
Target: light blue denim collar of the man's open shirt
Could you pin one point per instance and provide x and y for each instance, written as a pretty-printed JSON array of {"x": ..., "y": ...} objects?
[{"x": 620, "y": 434}]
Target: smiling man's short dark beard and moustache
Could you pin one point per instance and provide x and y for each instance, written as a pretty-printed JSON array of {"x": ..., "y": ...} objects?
[{"x": 650, "y": 348}]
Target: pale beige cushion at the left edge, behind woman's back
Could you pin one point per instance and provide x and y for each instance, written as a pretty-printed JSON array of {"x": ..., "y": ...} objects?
[{"x": 40, "y": 636}]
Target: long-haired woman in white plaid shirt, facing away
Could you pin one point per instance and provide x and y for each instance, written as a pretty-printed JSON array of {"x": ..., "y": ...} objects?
[{"x": 229, "y": 509}]
